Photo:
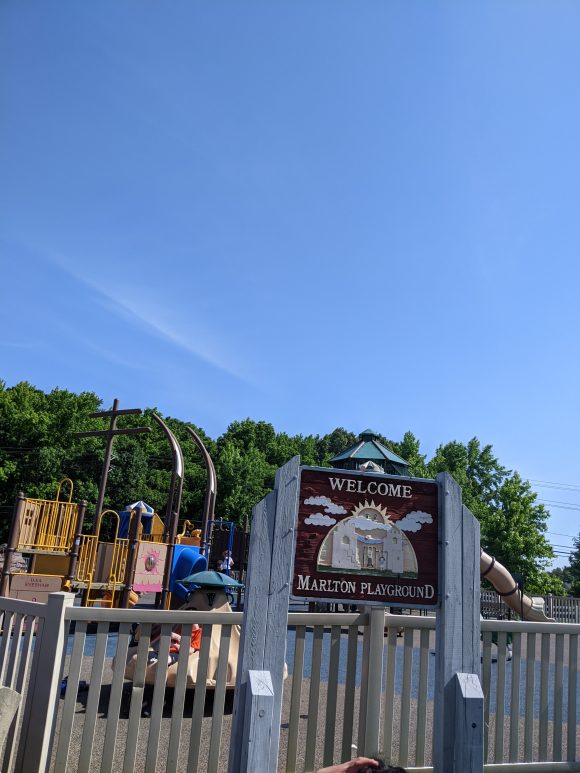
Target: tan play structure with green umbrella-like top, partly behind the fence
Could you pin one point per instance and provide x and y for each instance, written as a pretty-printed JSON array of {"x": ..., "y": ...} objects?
[{"x": 209, "y": 595}]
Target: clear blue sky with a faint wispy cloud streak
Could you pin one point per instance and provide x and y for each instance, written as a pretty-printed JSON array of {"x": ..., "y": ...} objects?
[{"x": 313, "y": 213}]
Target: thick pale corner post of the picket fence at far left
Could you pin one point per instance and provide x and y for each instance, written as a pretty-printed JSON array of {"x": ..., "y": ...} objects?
[{"x": 41, "y": 699}]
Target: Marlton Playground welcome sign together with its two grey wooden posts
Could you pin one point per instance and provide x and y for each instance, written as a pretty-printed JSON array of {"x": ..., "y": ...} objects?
[{"x": 377, "y": 540}]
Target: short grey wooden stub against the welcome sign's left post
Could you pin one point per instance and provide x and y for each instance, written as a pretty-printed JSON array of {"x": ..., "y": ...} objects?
[{"x": 258, "y": 725}]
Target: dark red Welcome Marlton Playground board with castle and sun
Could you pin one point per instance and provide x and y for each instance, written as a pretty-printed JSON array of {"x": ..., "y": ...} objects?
[{"x": 367, "y": 538}]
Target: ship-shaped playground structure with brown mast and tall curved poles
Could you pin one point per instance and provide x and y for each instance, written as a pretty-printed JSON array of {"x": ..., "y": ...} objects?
[{"x": 125, "y": 554}]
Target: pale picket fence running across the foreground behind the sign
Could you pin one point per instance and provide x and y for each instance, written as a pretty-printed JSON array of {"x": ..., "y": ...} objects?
[{"x": 529, "y": 671}]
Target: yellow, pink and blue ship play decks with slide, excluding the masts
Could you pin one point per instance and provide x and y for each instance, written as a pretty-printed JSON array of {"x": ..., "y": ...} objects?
[{"x": 126, "y": 555}]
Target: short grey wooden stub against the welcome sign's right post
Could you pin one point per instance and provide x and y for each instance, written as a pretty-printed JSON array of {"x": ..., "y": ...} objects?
[{"x": 468, "y": 723}]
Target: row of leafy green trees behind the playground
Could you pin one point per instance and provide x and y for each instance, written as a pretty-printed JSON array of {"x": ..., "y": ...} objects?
[{"x": 39, "y": 446}]
